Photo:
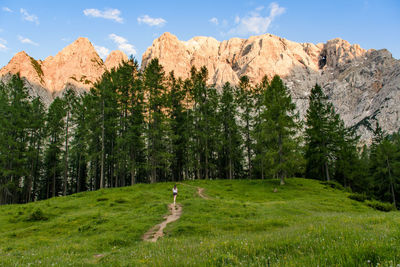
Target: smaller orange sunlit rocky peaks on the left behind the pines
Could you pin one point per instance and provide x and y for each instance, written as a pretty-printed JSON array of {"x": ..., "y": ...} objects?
[{"x": 77, "y": 66}]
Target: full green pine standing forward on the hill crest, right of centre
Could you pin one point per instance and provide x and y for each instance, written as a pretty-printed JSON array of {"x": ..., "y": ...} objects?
[{"x": 279, "y": 127}]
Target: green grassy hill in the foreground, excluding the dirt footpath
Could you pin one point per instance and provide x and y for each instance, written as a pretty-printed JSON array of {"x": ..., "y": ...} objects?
[{"x": 304, "y": 223}]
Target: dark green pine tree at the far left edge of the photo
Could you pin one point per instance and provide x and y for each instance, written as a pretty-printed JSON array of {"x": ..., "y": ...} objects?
[{"x": 15, "y": 113}]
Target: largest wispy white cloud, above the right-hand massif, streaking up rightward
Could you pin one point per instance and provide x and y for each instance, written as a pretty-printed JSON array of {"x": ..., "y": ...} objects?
[{"x": 255, "y": 23}]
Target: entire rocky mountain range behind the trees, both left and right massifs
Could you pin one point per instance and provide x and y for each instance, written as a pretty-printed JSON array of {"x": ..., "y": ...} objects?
[{"x": 363, "y": 85}]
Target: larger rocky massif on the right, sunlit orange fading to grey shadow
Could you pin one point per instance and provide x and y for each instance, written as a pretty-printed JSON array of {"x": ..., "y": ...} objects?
[{"x": 364, "y": 86}]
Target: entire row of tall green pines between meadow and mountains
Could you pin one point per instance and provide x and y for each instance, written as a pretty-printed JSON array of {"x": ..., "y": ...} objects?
[{"x": 145, "y": 126}]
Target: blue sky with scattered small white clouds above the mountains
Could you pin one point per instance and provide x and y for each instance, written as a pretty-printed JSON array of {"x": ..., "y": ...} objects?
[{"x": 42, "y": 28}]
